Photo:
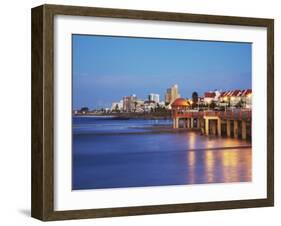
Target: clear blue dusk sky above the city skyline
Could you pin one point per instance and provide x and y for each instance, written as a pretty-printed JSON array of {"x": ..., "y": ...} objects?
[{"x": 106, "y": 68}]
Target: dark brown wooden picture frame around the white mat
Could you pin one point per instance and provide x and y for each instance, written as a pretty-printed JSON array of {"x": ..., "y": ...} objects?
[{"x": 42, "y": 203}]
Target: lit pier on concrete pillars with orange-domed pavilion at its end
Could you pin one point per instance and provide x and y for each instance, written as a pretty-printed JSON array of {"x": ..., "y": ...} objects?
[{"x": 236, "y": 123}]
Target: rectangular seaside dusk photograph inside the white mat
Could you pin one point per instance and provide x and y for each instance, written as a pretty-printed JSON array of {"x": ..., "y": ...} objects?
[{"x": 160, "y": 112}]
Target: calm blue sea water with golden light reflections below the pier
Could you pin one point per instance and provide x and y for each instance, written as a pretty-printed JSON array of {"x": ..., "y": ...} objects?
[{"x": 110, "y": 153}]
